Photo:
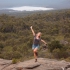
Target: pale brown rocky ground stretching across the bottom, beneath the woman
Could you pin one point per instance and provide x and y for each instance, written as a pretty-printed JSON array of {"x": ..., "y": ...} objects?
[{"x": 42, "y": 64}]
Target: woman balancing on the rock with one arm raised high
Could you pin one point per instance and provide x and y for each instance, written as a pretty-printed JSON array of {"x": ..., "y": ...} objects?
[{"x": 36, "y": 43}]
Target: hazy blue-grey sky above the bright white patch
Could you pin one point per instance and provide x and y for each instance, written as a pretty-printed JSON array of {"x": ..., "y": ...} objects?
[{"x": 39, "y": 3}]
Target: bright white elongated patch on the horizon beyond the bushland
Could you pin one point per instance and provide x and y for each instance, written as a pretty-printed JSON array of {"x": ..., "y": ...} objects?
[{"x": 30, "y": 8}]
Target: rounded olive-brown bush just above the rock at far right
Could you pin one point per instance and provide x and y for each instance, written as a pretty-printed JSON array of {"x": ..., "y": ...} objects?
[{"x": 61, "y": 53}]
